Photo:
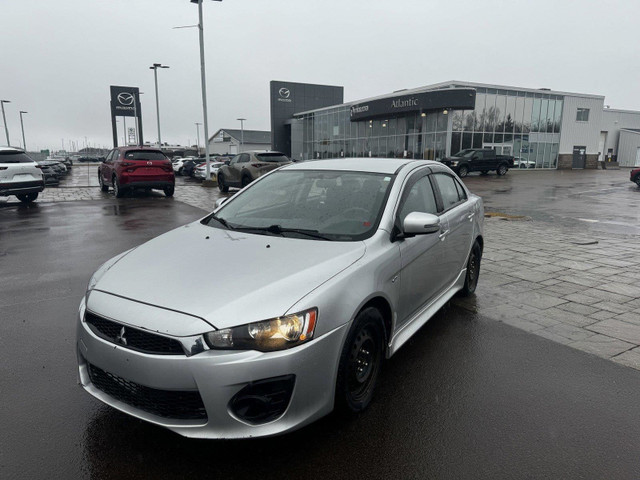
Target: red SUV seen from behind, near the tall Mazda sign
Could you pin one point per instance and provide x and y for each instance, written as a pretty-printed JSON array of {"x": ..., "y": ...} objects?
[{"x": 136, "y": 167}]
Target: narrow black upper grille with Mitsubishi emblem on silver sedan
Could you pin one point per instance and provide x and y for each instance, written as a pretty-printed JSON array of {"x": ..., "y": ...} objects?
[{"x": 133, "y": 338}]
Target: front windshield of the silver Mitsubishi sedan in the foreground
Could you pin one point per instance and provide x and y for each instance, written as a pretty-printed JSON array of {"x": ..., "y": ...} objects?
[{"x": 328, "y": 205}]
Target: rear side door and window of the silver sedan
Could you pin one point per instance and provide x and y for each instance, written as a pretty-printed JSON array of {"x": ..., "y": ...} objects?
[{"x": 458, "y": 213}]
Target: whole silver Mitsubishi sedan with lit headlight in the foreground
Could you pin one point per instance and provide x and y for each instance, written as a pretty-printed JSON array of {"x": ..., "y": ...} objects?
[{"x": 329, "y": 268}]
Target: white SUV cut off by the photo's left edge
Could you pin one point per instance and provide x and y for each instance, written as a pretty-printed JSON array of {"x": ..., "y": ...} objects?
[{"x": 19, "y": 175}]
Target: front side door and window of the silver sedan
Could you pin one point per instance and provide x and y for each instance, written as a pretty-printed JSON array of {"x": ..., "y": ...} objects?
[{"x": 422, "y": 274}]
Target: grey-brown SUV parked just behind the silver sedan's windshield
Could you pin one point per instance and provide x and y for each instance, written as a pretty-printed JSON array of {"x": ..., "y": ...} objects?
[{"x": 245, "y": 167}]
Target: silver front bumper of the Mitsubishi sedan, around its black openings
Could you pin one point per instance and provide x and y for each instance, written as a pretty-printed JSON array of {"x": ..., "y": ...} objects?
[{"x": 217, "y": 376}]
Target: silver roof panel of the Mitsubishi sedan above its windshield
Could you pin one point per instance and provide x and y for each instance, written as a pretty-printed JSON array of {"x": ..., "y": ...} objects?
[{"x": 365, "y": 164}]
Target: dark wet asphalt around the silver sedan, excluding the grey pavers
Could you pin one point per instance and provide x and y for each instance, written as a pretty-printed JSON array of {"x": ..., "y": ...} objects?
[{"x": 466, "y": 397}]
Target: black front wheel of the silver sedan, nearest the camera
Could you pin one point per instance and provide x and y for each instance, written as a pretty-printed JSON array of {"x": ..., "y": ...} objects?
[{"x": 360, "y": 362}]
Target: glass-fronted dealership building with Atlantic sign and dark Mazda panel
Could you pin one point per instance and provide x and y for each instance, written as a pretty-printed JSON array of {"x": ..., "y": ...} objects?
[{"x": 543, "y": 129}]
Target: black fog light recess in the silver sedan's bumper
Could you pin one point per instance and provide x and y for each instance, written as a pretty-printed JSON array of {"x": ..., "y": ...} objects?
[{"x": 263, "y": 401}]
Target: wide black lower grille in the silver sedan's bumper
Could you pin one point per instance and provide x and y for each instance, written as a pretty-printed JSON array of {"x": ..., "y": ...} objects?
[{"x": 180, "y": 405}]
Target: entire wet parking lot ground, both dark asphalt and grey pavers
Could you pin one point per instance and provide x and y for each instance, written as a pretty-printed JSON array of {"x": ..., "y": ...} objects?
[{"x": 536, "y": 376}]
